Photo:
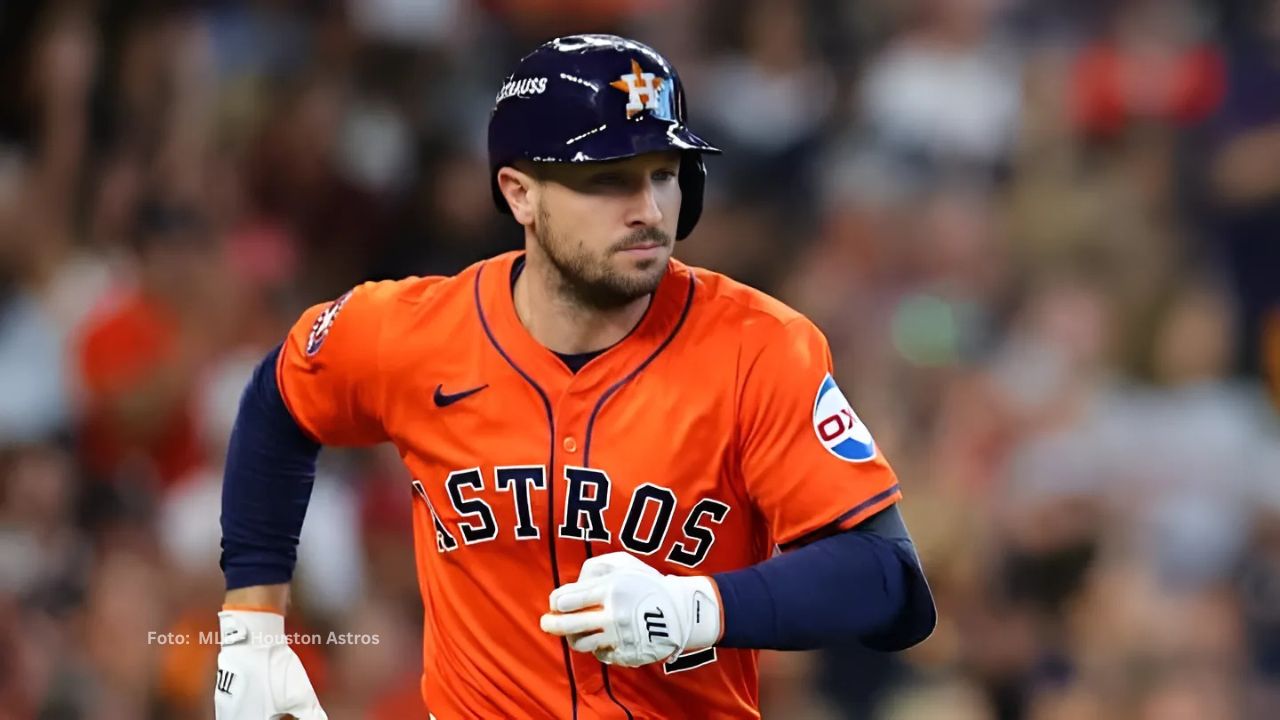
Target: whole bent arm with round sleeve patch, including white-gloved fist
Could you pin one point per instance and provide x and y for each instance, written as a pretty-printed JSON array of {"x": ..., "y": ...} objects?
[{"x": 849, "y": 573}]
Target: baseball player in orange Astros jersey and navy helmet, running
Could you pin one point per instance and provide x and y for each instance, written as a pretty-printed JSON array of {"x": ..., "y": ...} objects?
[{"x": 629, "y": 475}]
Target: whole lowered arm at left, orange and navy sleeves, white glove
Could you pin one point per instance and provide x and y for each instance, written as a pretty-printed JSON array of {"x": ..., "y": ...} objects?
[{"x": 321, "y": 388}]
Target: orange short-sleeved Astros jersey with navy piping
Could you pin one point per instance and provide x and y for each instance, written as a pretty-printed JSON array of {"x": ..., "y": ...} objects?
[{"x": 712, "y": 434}]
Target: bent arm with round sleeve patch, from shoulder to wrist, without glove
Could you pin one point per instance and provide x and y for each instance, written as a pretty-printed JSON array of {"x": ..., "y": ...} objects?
[{"x": 849, "y": 572}]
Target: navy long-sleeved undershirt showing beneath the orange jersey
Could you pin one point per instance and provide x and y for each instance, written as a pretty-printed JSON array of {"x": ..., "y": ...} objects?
[{"x": 862, "y": 586}]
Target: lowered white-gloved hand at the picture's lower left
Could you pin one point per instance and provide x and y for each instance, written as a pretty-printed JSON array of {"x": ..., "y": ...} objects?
[{"x": 259, "y": 677}]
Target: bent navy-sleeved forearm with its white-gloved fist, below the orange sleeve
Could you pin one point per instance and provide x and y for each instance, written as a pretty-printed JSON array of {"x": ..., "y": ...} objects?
[{"x": 860, "y": 586}]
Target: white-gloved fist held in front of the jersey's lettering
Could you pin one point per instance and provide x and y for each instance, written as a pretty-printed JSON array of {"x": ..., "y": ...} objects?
[{"x": 629, "y": 614}]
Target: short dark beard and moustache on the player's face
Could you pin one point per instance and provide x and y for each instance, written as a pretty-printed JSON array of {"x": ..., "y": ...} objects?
[{"x": 597, "y": 288}]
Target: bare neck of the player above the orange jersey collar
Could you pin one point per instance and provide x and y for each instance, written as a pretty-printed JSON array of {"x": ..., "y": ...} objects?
[{"x": 561, "y": 323}]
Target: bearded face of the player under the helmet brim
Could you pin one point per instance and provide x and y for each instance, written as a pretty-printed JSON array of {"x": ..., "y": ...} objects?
[{"x": 610, "y": 229}]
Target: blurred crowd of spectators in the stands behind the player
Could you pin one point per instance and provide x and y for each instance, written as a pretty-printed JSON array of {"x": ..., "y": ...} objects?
[{"x": 1043, "y": 236}]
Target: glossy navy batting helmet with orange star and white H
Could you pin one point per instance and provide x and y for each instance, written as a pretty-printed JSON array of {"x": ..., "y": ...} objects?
[{"x": 591, "y": 98}]
